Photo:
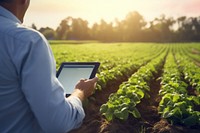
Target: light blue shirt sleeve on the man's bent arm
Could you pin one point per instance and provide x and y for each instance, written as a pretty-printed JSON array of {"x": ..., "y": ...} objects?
[{"x": 36, "y": 66}]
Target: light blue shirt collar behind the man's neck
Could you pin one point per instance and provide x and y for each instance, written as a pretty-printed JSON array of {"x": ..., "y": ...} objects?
[{"x": 7, "y": 14}]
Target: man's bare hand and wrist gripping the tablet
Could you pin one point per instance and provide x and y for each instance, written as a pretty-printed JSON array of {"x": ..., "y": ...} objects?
[{"x": 84, "y": 88}]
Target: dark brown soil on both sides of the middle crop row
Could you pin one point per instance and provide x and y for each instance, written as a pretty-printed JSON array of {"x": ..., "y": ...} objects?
[{"x": 150, "y": 122}]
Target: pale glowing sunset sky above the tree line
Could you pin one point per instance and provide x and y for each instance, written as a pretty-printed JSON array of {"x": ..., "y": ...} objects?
[{"x": 49, "y": 13}]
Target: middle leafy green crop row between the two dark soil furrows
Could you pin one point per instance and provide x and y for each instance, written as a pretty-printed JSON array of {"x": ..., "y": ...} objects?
[{"x": 124, "y": 101}]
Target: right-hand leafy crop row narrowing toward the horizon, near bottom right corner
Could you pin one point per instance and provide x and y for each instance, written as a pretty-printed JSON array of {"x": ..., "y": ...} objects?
[{"x": 176, "y": 105}]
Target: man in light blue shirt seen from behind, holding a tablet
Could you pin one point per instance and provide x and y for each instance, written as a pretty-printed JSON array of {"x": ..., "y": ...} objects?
[{"x": 31, "y": 98}]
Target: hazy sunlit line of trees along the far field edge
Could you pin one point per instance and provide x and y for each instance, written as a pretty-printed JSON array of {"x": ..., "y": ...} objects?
[{"x": 131, "y": 29}]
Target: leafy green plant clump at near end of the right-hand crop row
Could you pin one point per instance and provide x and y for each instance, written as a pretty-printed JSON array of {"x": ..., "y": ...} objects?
[{"x": 179, "y": 109}]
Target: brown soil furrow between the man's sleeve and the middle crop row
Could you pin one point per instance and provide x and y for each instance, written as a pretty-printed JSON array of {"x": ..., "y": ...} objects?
[{"x": 94, "y": 122}]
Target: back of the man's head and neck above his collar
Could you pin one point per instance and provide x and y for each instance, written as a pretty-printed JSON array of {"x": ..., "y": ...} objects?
[{"x": 17, "y": 7}]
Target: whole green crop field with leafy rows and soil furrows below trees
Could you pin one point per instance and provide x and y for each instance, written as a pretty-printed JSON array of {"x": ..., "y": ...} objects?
[{"x": 142, "y": 87}]
